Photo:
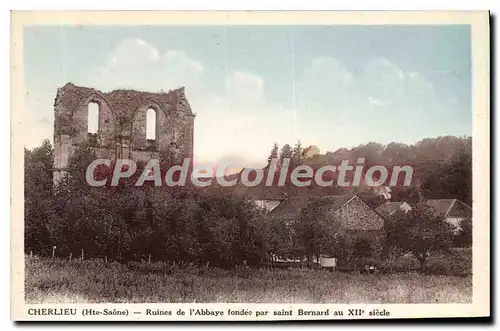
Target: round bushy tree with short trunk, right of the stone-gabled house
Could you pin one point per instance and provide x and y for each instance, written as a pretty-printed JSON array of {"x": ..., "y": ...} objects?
[{"x": 419, "y": 232}]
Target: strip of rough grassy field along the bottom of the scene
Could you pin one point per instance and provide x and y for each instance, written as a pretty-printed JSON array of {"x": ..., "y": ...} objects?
[{"x": 91, "y": 281}]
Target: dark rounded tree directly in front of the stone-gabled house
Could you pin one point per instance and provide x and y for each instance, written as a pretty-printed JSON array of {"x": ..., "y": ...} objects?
[{"x": 316, "y": 229}]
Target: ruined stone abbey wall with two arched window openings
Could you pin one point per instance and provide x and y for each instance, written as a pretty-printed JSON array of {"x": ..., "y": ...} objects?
[{"x": 122, "y": 124}]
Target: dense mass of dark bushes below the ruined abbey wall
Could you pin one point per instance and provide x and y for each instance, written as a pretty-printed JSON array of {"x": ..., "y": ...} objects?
[{"x": 133, "y": 224}]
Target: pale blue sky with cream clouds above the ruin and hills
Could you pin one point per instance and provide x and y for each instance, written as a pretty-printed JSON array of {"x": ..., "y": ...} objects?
[{"x": 251, "y": 86}]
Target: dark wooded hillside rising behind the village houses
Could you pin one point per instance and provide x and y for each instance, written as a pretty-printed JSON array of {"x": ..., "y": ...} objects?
[{"x": 442, "y": 167}]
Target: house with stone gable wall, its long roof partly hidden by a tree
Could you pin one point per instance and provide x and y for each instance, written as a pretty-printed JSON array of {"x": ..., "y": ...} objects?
[{"x": 354, "y": 214}]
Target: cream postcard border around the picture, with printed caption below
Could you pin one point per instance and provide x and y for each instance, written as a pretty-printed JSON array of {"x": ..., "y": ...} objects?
[{"x": 479, "y": 22}]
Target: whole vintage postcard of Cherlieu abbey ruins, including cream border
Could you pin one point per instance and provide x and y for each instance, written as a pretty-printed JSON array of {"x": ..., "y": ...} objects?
[{"x": 250, "y": 166}]
